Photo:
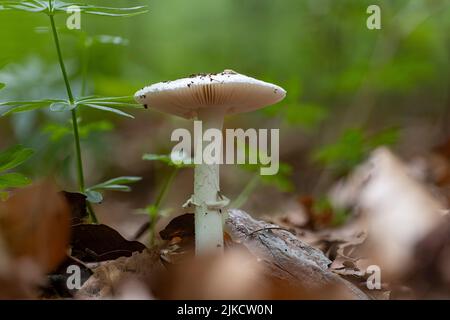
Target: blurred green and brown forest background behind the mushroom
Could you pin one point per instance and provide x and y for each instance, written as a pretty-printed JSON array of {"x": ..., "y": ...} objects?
[{"x": 347, "y": 86}]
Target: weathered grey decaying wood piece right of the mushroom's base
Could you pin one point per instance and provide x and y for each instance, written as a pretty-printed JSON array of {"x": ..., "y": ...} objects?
[{"x": 285, "y": 256}]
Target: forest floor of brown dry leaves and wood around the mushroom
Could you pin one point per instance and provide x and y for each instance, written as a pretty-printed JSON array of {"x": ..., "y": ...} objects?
[{"x": 396, "y": 244}]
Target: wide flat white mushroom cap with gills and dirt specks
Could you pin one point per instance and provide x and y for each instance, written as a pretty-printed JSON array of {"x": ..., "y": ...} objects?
[{"x": 228, "y": 92}]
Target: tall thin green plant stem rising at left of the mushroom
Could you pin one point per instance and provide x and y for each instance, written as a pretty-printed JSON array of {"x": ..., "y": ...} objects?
[{"x": 73, "y": 111}]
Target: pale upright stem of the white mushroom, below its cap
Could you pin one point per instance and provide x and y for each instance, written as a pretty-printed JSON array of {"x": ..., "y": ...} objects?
[{"x": 208, "y": 217}]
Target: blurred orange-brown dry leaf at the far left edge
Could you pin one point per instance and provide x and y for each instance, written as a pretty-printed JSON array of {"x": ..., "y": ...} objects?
[{"x": 35, "y": 224}]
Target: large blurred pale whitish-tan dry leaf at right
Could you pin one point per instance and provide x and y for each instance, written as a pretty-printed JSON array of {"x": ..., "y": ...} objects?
[{"x": 398, "y": 210}]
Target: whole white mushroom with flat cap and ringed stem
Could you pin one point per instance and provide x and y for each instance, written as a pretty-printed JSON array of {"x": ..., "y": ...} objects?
[{"x": 209, "y": 97}]
